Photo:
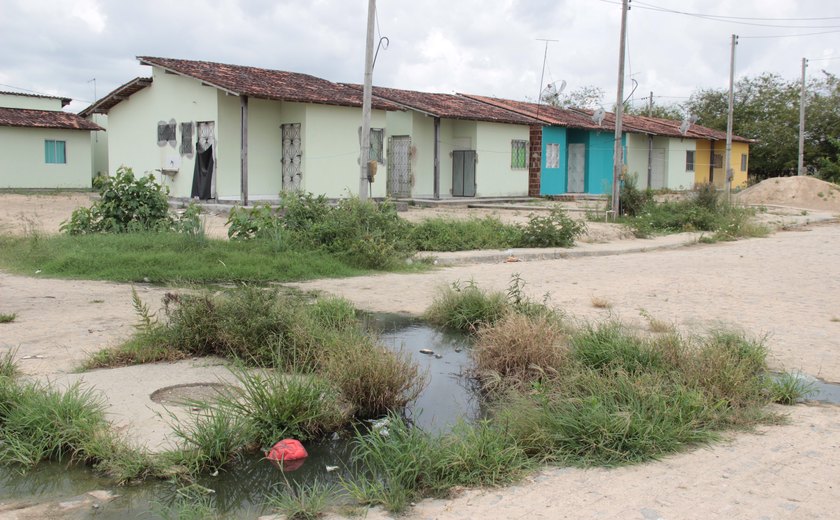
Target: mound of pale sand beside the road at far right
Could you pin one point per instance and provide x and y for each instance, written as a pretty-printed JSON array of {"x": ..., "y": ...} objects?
[{"x": 798, "y": 192}]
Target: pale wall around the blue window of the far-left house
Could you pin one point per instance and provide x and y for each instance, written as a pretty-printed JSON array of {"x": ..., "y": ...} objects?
[{"x": 23, "y": 163}]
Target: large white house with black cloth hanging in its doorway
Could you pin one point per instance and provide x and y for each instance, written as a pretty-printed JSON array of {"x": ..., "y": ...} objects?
[{"x": 227, "y": 132}]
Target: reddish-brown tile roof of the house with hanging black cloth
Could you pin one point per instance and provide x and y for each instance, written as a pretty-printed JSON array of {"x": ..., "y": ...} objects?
[{"x": 265, "y": 83}]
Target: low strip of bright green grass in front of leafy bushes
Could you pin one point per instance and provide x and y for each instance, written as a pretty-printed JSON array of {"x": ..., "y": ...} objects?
[{"x": 164, "y": 258}]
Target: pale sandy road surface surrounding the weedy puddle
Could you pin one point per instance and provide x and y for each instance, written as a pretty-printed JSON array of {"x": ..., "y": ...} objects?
[{"x": 786, "y": 286}]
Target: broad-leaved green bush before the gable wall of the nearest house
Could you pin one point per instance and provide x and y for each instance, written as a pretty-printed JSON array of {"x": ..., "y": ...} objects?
[{"x": 127, "y": 204}]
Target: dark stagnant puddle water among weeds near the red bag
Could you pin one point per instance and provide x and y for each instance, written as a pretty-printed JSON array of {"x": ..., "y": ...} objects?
[{"x": 240, "y": 492}]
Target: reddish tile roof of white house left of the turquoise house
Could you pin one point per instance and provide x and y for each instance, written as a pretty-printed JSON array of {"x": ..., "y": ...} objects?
[{"x": 450, "y": 106}]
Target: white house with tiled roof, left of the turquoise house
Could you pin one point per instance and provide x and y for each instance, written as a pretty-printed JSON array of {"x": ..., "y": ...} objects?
[{"x": 445, "y": 145}]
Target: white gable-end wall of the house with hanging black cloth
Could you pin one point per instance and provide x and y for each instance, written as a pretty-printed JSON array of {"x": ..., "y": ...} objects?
[{"x": 132, "y": 127}]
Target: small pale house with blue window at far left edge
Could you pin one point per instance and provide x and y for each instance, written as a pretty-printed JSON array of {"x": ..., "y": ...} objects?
[{"x": 41, "y": 146}]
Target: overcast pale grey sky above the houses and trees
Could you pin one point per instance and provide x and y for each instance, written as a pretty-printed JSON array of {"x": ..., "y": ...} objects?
[{"x": 487, "y": 47}]
